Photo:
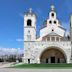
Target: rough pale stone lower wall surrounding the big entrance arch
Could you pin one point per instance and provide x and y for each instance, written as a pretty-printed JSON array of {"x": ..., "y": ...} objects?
[{"x": 33, "y": 50}]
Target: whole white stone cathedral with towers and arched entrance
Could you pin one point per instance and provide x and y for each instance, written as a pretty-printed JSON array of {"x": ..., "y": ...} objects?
[{"x": 52, "y": 46}]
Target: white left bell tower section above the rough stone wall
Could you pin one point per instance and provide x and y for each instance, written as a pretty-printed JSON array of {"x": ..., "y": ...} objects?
[{"x": 29, "y": 26}]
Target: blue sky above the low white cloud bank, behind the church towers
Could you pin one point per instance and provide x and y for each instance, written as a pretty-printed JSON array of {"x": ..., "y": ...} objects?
[{"x": 11, "y": 18}]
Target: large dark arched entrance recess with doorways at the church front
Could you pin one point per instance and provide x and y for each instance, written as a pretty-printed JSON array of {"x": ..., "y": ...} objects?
[{"x": 52, "y": 55}]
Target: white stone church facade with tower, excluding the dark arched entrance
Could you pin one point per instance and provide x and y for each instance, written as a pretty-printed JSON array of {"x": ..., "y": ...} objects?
[{"x": 34, "y": 47}]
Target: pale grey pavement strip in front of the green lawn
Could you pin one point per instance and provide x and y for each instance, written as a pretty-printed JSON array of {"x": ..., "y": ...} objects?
[{"x": 34, "y": 70}]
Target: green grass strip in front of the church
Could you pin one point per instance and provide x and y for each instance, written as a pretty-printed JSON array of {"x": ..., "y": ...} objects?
[{"x": 43, "y": 66}]
